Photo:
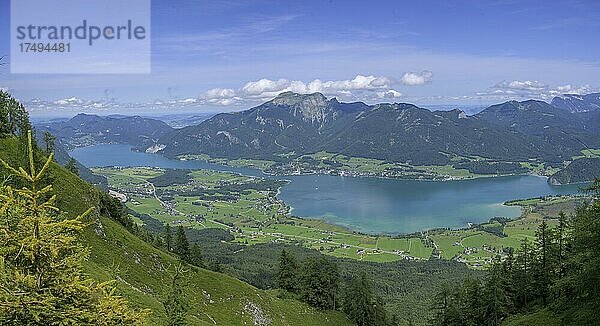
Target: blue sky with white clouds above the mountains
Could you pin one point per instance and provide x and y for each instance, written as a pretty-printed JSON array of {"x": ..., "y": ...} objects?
[{"x": 229, "y": 55}]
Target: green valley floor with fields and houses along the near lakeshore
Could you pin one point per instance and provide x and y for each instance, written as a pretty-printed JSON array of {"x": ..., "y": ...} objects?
[{"x": 249, "y": 208}]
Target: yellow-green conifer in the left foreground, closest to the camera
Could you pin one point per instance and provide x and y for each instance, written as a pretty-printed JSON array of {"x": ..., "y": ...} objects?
[{"x": 41, "y": 261}]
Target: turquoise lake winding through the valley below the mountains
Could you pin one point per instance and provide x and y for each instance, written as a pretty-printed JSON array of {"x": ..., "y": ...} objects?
[{"x": 372, "y": 205}]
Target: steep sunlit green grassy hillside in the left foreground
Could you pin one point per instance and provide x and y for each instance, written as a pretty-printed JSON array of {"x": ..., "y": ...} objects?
[{"x": 143, "y": 273}]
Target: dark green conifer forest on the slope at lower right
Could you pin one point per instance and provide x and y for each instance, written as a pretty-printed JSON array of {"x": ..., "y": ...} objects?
[{"x": 558, "y": 271}]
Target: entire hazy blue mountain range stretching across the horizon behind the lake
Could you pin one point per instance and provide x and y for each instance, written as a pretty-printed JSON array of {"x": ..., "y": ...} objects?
[{"x": 292, "y": 125}]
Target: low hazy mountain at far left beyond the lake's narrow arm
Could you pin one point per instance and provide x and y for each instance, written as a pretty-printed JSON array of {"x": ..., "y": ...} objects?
[{"x": 85, "y": 130}]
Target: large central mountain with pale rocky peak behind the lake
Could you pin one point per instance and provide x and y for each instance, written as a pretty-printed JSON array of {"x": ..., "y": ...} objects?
[{"x": 298, "y": 124}]
